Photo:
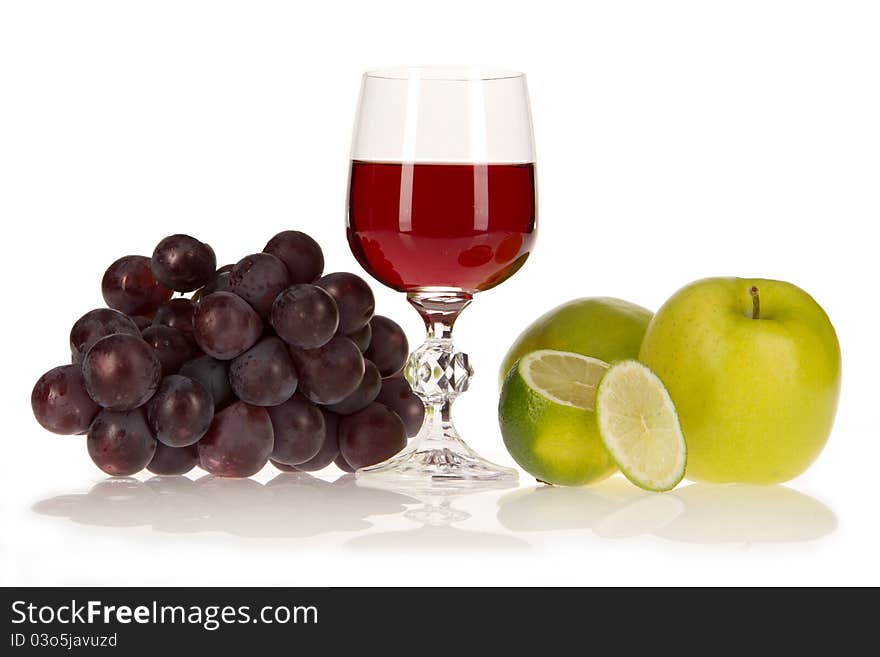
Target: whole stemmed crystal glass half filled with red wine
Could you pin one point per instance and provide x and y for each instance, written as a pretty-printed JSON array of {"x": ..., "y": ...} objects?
[{"x": 441, "y": 205}]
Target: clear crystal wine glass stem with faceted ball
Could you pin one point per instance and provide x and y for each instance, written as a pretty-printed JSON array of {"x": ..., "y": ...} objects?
[{"x": 435, "y": 371}]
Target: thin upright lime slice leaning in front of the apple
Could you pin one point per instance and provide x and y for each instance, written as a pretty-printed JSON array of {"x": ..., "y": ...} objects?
[{"x": 639, "y": 426}]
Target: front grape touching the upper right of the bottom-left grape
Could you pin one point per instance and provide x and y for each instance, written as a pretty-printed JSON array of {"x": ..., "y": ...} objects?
[{"x": 180, "y": 412}]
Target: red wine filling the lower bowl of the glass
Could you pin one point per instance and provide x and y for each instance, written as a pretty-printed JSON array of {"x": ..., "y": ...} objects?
[{"x": 464, "y": 226}]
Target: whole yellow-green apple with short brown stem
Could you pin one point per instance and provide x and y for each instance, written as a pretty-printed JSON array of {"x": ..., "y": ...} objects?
[{"x": 753, "y": 367}]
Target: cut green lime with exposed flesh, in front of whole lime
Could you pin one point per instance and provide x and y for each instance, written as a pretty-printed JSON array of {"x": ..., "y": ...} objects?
[{"x": 547, "y": 418}]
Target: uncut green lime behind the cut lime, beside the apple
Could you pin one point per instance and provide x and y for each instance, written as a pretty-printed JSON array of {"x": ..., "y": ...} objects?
[{"x": 601, "y": 327}]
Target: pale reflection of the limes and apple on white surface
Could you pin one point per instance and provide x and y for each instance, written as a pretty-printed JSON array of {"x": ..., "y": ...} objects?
[{"x": 696, "y": 513}]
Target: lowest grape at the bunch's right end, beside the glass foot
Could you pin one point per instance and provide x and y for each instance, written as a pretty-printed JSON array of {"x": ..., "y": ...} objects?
[{"x": 371, "y": 436}]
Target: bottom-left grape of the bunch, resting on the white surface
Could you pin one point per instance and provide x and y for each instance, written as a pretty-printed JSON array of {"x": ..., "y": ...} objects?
[{"x": 120, "y": 442}]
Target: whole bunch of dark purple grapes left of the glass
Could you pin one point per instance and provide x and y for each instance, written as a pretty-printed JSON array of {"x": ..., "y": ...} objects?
[{"x": 268, "y": 360}]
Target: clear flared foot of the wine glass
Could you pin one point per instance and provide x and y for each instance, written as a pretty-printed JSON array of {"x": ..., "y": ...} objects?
[{"x": 438, "y": 461}]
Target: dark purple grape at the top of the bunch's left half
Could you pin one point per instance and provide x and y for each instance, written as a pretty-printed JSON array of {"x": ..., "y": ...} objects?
[{"x": 183, "y": 263}]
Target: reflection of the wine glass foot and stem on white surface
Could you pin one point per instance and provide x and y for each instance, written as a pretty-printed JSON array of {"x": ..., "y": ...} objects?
[{"x": 434, "y": 519}]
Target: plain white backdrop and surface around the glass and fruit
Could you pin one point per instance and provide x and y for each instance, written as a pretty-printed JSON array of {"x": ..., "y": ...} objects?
[{"x": 675, "y": 140}]
